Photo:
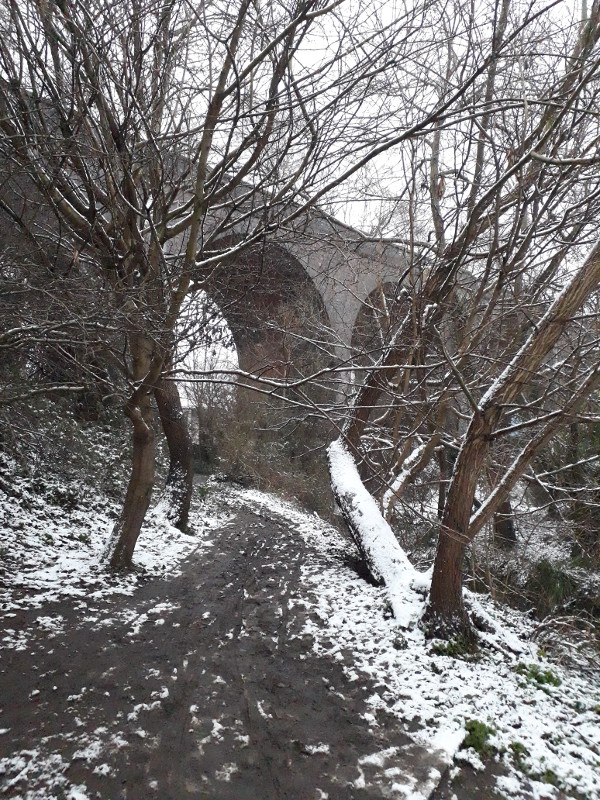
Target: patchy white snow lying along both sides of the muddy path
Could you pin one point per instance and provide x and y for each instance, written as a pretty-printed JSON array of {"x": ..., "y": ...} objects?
[{"x": 542, "y": 721}]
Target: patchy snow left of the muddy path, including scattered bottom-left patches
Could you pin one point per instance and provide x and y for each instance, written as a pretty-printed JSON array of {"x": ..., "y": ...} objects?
[{"x": 53, "y": 538}]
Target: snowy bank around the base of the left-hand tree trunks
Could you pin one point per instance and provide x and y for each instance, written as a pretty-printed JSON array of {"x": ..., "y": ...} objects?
[{"x": 52, "y": 545}]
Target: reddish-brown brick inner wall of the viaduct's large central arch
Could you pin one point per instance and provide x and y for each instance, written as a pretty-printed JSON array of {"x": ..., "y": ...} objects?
[{"x": 273, "y": 310}]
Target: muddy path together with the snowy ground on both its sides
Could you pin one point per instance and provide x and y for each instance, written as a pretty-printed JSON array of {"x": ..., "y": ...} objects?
[{"x": 251, "y": 662}]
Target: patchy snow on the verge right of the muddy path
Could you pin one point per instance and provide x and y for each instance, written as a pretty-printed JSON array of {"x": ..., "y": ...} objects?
[{"x": 543, "y": 720}]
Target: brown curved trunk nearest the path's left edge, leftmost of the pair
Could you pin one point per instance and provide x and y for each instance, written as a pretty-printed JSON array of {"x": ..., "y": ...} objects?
[{"x": 137, "y": 499}]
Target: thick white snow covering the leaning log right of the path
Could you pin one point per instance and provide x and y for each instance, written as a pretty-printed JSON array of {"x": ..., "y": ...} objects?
[{"x": 376, "y": 541}]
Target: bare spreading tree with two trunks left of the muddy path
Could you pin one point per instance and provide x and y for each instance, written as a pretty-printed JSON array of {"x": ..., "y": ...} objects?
[{"x": 165, "y": 139}]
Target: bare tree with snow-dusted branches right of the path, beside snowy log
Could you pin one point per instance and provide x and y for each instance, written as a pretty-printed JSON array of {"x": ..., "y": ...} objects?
[{"x": 487, "y": 350}]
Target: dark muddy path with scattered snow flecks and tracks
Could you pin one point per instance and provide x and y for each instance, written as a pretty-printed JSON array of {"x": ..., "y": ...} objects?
[{"x": 204, "y": 685}]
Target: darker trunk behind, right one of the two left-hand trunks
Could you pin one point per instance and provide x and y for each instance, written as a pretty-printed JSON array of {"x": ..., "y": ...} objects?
[{"x": 178, "y": 488}]
